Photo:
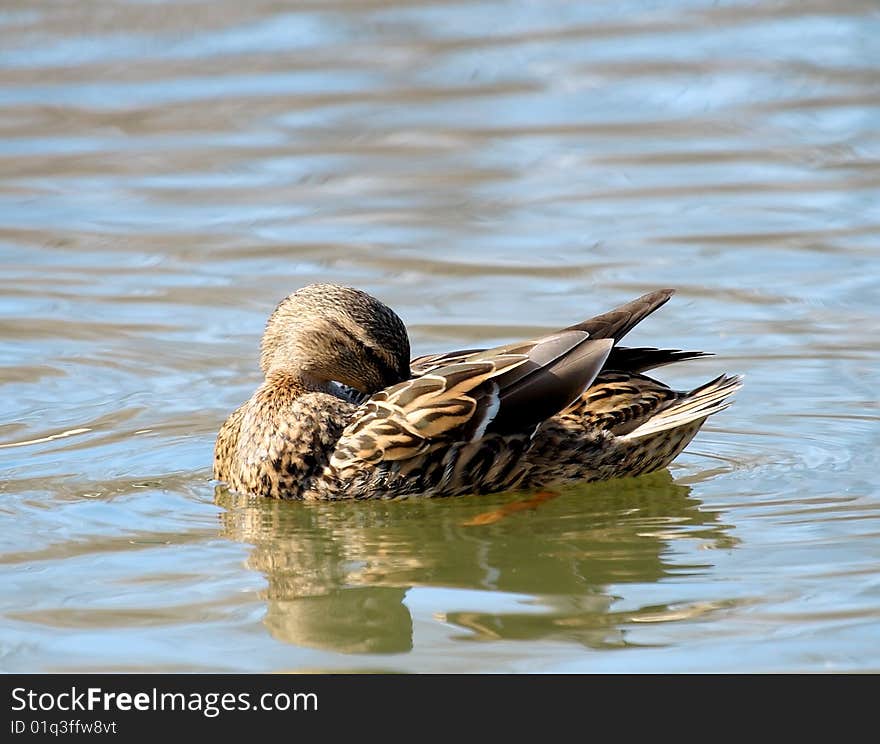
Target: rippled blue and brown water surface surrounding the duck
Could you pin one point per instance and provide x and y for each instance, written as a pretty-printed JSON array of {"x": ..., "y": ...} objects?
[{"x": 169, "y": 171}]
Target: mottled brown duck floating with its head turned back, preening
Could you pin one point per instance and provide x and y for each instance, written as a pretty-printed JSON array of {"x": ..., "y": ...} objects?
[{"x": 343, "y": 412}]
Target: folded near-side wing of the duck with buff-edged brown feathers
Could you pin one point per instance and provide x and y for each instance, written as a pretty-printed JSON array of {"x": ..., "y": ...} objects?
[{"x": 509, "y": 389}]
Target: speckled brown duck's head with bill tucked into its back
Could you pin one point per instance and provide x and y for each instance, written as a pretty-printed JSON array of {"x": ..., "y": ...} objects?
[{"x": 326, "y": 332}]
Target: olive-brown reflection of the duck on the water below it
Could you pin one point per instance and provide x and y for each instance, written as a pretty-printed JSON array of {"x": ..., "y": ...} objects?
[{"x": 338, "y": 574}]
